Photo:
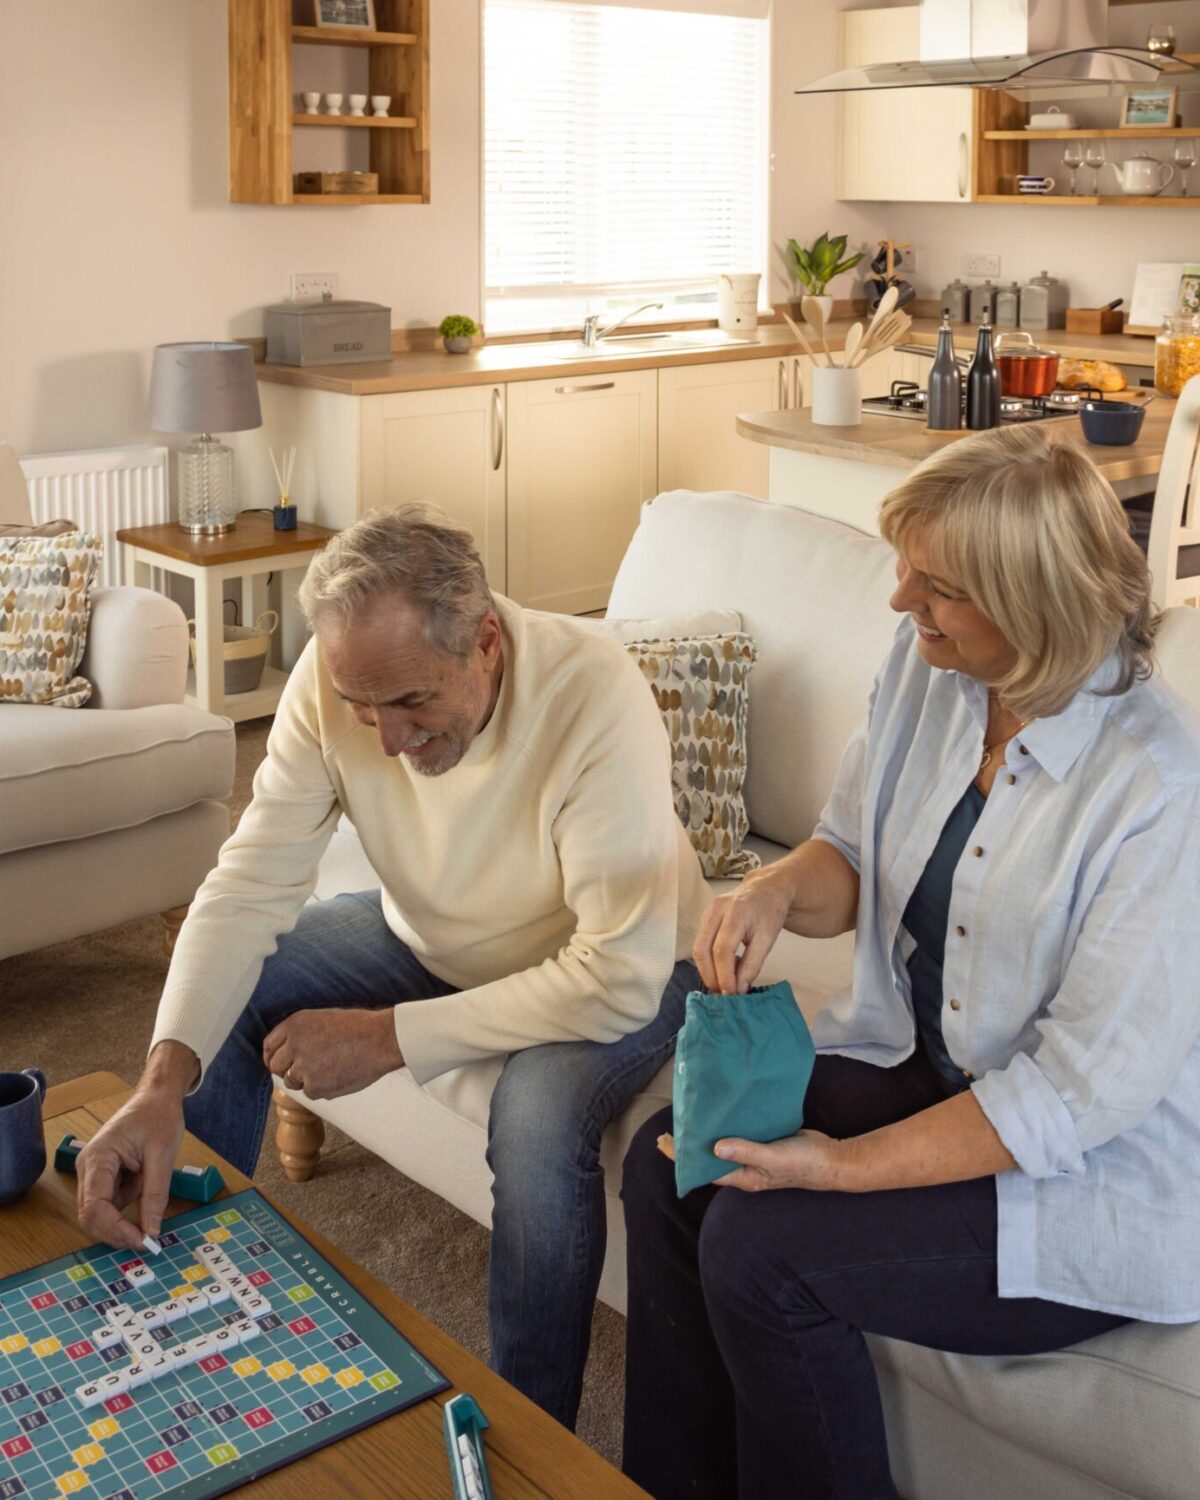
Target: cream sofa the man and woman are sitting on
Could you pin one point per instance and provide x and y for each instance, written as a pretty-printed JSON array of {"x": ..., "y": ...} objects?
[{"x": 1117, "y": 1417}]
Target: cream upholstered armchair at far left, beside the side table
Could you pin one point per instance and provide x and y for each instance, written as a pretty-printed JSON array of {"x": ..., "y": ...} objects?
[{"x": 115, "y": 811}]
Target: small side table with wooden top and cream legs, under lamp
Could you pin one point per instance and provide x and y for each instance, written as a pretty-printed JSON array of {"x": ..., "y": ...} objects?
[{"x": 253, "y": 550}]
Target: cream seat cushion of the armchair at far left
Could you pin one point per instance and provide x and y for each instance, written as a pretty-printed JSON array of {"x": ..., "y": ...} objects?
[{"x": 70, "y": 776}]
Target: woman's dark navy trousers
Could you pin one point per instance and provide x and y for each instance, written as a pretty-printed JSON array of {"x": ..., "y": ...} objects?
[{"x": 748, "y": 1373}]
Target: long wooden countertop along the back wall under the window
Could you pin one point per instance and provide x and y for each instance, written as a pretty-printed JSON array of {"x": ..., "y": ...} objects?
[{"x": 496, "y": 364}]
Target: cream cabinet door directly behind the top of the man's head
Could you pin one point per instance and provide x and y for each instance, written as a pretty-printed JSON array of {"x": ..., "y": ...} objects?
[{"x": 443, "y": 446}]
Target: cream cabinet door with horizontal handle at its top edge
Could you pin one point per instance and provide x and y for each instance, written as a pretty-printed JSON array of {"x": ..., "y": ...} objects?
[{"x": 583, "y": 457}]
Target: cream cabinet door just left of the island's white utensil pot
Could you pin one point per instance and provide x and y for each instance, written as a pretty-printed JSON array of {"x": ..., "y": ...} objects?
[{"x": 698, "y": 409}]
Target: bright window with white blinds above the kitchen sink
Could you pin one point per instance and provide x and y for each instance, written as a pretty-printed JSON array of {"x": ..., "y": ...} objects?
[{"x": 626, "y": 155}]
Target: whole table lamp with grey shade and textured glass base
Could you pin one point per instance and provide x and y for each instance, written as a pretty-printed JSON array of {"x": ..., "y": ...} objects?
[{"x": 205, "y": 389}]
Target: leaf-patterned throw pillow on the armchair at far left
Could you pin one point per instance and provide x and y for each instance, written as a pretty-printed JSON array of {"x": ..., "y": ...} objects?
[{"x": 46, "y": 599}]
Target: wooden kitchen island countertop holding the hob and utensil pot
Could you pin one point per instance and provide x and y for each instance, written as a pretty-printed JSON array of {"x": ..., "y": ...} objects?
[{"x": 902, "y": 443}]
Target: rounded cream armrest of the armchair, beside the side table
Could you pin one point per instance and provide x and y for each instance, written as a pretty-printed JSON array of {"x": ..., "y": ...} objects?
[{"x": 137, "y": 649}]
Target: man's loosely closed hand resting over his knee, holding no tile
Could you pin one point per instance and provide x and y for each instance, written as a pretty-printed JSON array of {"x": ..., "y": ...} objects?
[{"x": 329, "y": 1054}]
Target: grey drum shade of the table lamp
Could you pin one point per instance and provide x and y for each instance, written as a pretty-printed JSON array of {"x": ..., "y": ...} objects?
[{"x": 205, "y": 388}]
